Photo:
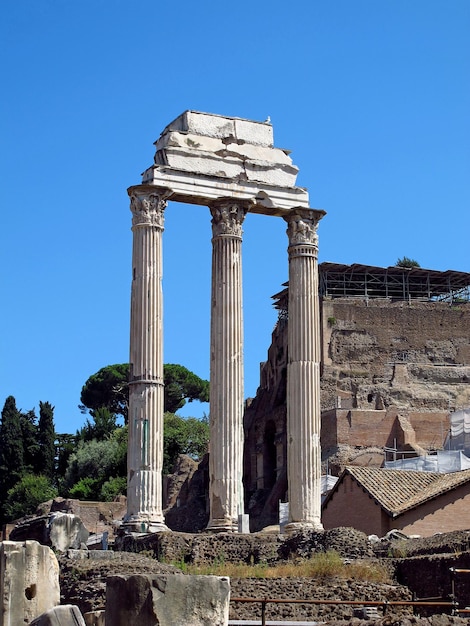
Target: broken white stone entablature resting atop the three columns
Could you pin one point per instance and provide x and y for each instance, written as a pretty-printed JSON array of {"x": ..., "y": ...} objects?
[{"x": 201, "y": 156}]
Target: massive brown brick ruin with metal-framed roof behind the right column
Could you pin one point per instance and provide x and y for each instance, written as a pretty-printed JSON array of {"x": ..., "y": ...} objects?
[{"x": 395, "y": 361}]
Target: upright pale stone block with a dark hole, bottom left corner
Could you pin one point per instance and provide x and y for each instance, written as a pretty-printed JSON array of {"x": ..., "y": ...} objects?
[{"x": 29, "y": 581}]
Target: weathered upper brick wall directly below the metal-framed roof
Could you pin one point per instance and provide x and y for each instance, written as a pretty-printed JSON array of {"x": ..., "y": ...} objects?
[{"x": 378, "y": 354}]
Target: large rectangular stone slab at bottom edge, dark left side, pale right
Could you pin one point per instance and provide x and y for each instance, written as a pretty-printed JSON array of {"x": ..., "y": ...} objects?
[{"x": 176, "y": 600}]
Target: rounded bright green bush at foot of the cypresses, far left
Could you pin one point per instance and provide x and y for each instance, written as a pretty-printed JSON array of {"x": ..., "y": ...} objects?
[{"x": 24, "y": 497}]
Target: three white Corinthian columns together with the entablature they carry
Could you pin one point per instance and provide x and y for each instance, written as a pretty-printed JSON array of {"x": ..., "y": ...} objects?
[{"x": 230, "y": 165}]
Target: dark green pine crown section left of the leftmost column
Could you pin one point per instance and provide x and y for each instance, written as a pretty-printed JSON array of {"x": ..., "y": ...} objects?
[{"x": 108, "y": 388}]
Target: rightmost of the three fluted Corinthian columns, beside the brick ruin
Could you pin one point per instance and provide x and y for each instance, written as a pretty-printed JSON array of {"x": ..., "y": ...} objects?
[{"x": 303, "y": 372}]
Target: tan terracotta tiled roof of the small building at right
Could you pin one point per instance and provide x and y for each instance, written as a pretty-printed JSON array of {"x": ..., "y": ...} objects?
[{"x": 397, "y": 491}]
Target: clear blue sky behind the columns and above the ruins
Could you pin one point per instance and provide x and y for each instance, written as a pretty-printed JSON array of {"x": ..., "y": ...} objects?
[{"x": 371, "y": 96}]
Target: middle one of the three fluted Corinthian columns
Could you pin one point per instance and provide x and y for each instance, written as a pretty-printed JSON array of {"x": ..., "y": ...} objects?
[{"x": 226, "y": 367}]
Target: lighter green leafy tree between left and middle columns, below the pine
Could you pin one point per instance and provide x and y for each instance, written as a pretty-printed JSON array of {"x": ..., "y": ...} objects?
[{"x": 183, "y": 436}]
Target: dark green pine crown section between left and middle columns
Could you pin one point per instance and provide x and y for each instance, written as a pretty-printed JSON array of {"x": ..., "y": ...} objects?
[{"x": 180, "y": 385}]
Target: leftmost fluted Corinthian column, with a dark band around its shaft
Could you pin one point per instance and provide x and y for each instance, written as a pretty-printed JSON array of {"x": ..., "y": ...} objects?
[{"x": 145, "y": 447}]
